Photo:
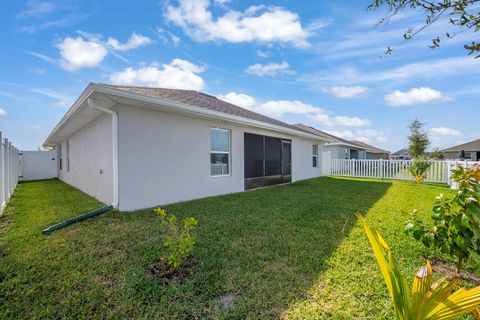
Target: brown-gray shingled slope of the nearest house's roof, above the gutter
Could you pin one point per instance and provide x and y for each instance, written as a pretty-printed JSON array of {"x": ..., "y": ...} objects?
[{"x": 203, "y": 100}]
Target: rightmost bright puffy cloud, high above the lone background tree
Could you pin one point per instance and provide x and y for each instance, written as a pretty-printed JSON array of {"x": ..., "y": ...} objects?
[{"x": 413, "y": 97}]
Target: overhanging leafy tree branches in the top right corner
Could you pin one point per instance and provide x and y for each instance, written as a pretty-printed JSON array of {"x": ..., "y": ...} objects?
[{"x": 462, "y": 15}]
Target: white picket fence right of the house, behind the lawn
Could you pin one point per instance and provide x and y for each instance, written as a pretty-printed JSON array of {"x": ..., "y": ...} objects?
[{"x": 439, "y": 172}]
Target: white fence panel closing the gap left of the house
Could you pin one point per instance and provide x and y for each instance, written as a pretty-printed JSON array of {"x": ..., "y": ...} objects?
[{"x": 38, "y": 165}]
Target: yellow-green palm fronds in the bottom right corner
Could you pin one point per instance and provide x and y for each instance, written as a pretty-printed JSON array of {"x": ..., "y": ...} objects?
[{"x": 428, "y": 300}]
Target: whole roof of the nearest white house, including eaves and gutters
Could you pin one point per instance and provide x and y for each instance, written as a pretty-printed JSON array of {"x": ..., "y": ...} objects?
[{"x": 184, "y": 101}]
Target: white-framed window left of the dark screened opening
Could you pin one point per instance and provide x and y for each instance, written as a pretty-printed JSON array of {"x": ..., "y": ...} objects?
[{"x": 219, "y": 152}]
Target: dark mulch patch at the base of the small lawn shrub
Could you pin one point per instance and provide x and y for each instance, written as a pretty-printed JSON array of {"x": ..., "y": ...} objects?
[{"x": 166, "y": 273}]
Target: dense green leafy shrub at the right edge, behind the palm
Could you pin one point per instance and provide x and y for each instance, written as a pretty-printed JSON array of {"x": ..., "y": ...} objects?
[{"x": 456, "y": 219}]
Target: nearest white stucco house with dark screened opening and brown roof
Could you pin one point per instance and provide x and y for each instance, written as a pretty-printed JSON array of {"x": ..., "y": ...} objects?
[{"x": 139, "y": 147}]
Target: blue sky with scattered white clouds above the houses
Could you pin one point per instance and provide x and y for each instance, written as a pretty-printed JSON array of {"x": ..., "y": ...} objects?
[{"x": 314, "y": 62}]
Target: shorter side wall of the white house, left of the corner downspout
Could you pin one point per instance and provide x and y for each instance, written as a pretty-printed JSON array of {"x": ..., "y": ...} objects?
[{"x": 90, "y": 159}]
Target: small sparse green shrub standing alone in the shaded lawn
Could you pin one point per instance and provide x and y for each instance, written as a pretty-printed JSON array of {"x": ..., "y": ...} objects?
[{"x": 179, "y": 241}]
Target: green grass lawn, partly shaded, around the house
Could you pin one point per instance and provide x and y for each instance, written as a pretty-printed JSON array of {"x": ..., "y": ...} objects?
[{"x": 293, "y": 251}]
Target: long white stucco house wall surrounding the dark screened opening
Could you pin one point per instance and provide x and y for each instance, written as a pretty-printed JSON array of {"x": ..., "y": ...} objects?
[{"x": 165, "y": 158}]
